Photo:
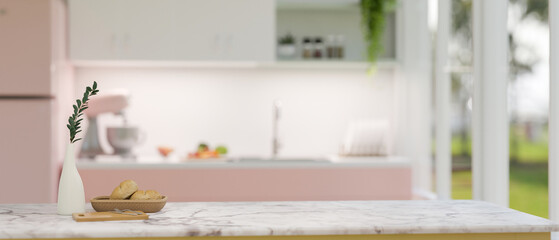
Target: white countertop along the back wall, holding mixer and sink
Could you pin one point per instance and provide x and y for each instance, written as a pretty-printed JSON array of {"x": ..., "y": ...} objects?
[{"x": 112, "y": 162}]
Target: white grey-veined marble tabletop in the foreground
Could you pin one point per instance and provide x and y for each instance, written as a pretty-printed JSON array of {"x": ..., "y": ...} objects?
[{"x": 278, "y": 218}]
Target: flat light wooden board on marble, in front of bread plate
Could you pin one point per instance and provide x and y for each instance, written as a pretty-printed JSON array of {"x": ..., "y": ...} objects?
[{"x": 116, "y": 215}]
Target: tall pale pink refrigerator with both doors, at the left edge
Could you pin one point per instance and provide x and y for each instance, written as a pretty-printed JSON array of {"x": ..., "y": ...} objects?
[{"x": 36, "y": 92}]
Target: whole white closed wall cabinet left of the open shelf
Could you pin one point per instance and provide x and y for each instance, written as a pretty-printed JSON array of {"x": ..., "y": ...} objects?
[{"x": 172, "y": 30}]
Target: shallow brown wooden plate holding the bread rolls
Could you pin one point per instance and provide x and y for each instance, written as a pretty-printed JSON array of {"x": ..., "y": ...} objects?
[{"x": 104, "y": 204}]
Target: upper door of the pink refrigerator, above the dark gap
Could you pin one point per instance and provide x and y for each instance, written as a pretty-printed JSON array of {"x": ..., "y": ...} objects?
[{"x": 26, "y": 48}]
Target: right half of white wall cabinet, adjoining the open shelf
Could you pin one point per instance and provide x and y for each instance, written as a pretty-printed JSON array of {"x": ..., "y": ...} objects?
[{"x": 228, "y": 30}]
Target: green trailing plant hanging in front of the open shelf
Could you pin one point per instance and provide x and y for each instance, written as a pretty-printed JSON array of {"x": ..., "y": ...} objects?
[{"x": 372, "y": 20}]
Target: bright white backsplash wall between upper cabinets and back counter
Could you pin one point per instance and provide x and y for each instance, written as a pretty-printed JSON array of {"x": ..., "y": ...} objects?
[{"x": 181, "y": 107}]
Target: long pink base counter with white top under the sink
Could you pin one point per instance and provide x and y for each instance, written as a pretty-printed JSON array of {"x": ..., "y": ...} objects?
[{"x": 380, "y": 178}]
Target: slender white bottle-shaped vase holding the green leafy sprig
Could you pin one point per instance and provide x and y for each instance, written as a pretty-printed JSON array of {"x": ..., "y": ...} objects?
[{"x": 71, "y": 196}]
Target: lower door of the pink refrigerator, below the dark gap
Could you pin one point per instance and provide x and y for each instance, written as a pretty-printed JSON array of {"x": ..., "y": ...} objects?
[{"x": 27, "y": 172}]
